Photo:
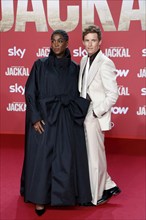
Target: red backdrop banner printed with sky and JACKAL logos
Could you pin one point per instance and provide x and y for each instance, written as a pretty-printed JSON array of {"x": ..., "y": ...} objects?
[{"x": 25, "y": 30}]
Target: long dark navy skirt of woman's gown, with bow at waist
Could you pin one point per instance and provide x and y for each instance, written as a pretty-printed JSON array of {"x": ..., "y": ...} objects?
[{"x": 55, "y": 169}]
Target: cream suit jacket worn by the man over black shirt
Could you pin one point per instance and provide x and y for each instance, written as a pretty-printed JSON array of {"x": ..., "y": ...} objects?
[{"x": 101, "y": 87}]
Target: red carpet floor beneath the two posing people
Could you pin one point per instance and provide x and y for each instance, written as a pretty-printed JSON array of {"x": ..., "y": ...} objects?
[{"x": 126, "y": 165}]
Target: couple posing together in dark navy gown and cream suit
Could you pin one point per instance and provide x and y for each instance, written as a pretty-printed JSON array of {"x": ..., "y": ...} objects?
[{"x": 68, "y": 111}]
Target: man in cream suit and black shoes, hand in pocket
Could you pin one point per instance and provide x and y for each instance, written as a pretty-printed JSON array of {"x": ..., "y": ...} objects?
[{"x": 97, "y": 82}]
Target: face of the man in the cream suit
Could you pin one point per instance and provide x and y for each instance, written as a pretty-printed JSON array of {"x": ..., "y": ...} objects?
[{"x": 91, "y": 43}]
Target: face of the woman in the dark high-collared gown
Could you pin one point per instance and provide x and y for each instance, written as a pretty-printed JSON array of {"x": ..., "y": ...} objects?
[{"x": 58, "y": 45}]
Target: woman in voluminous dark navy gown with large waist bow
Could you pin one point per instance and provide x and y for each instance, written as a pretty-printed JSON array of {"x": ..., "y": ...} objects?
[{"x": 55, "y": 169}]
